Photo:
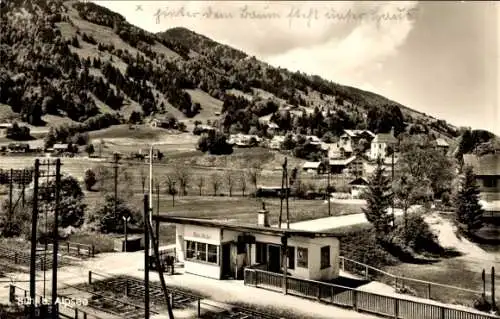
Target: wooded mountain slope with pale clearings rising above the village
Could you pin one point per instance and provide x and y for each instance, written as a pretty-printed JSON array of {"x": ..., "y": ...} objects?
[{"x": 87, "y": 63}]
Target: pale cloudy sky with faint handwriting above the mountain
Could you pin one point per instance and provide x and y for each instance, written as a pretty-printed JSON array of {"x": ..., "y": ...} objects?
[{"x": 440, "y": 58}]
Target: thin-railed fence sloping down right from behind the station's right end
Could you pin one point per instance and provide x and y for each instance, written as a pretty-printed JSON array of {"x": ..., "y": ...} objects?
[{"x": 426, "y": 289}]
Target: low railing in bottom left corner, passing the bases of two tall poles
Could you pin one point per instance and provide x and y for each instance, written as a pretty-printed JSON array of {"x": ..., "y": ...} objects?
[{"x": 65, "y": 311}]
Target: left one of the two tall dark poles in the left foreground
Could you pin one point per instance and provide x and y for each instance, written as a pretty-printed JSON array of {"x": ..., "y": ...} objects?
[{"x": 34, "y": 220}]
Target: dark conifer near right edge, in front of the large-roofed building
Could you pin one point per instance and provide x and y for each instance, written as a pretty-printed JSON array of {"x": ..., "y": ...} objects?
[{"x": 468, "y": 209}]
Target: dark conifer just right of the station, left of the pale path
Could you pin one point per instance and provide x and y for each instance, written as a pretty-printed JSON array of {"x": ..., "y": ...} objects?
[{"x": 379, "y": 198}]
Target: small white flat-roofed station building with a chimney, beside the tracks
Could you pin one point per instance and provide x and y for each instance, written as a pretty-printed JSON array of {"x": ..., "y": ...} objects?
[{"x": 222, "y": 250}]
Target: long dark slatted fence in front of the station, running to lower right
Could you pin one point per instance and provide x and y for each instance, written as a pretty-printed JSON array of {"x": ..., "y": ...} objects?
[{"x": 356, "y": 299}]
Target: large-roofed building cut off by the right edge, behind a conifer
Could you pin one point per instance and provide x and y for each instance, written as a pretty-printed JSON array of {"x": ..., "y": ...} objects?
[{"x": 487, "y": 171}]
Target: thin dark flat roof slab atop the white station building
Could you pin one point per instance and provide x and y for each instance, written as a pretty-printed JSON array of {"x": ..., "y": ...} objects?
[{"x": 273, "y": 231}]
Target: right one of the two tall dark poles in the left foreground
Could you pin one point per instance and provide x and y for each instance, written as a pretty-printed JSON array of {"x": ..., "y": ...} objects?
[{"x": 55, "y": 243}]
